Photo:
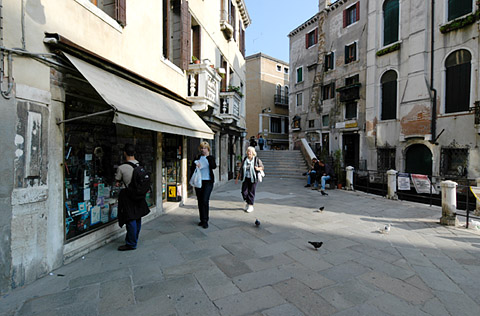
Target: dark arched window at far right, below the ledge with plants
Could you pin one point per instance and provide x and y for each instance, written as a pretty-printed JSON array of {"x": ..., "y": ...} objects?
[{"x": 457, "y": 89}]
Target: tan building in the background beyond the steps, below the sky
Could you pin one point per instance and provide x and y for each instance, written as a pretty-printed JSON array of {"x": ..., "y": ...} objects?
[{"x": 267, "y": 100}]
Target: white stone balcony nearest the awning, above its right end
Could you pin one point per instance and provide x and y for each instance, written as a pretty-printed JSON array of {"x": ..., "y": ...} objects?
[{"x": 203, "y": 83}]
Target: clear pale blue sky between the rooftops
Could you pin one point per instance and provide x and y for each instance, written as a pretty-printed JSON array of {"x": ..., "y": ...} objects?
[{"x": 272, "y": 20}]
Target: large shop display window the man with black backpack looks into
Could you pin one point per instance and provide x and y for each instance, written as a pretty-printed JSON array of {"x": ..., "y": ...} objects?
[{"x": 93, "y": 150}]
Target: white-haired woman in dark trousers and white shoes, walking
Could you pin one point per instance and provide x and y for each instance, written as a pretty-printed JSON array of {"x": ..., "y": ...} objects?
[{"x": 249, "y": 169}]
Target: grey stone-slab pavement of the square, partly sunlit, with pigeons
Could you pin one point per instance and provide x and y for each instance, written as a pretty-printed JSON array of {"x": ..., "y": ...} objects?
[{"x": 235, "y": 268}]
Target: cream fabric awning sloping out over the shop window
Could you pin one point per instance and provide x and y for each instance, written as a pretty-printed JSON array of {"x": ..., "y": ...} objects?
[{"x": 140, "y": 107}]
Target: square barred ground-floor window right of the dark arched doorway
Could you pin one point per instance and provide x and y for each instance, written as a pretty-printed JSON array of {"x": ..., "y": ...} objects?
[{"x": 453, "y": 162}]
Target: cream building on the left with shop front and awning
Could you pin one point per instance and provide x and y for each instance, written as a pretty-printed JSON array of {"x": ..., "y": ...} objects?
[{"x": 79, "y": 80}]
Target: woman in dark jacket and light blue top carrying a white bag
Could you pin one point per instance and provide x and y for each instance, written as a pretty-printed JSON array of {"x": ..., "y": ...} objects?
[{"x": 206, "y": 164}]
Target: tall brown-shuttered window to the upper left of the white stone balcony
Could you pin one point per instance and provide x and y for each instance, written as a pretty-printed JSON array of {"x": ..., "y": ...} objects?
[{"x": 177, "y": 28}]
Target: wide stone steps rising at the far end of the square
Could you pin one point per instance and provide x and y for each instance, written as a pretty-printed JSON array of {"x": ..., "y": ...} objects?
[{"x": 283, "y": 163}]
